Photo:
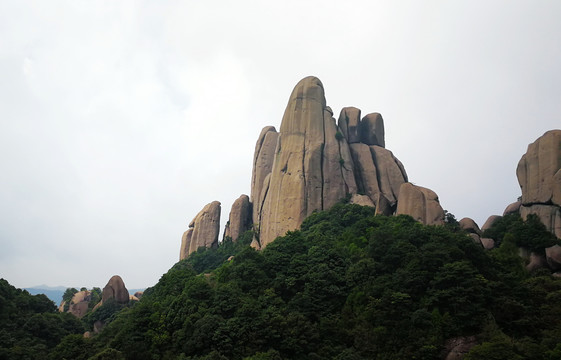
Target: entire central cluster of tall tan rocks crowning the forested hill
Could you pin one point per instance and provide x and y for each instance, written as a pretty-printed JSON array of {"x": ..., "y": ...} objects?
[{"x": 310, "y": 164}]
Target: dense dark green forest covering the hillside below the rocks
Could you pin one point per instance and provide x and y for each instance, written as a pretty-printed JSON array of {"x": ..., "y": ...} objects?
[{"x": 347, "y": 285}]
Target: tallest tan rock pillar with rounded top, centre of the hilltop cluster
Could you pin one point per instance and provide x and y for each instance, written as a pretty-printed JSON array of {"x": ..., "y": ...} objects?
[{"x": 312, "y": 168}]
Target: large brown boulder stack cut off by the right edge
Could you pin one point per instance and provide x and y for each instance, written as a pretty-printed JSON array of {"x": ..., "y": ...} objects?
[{"x": 539, "y": 175}]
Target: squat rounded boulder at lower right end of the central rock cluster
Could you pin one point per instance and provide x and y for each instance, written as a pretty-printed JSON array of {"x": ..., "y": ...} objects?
[{"x": 420, "y": 203}]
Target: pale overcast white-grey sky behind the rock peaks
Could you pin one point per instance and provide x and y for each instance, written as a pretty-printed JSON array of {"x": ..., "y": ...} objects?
[{"x": 120, "y": 120}]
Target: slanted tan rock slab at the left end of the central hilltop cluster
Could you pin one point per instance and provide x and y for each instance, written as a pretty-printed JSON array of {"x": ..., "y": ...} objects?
[{"x": 203, "y": 230}]
